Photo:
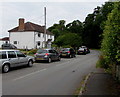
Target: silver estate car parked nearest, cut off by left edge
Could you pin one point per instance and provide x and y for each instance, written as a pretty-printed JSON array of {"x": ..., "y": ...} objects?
[{"x": 14, "y": 58}]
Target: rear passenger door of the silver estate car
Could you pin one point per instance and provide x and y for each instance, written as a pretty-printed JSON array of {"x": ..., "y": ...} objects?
[{"x": 13, "y": 59}]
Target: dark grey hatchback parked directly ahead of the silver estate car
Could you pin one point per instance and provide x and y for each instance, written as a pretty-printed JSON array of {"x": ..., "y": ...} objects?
[{"x": 47, "y": 55}]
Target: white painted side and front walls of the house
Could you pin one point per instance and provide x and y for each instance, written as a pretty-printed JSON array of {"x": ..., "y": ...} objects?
[{"x": 28, "y": 40}]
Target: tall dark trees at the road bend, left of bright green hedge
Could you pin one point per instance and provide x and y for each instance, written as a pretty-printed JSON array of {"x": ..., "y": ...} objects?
[{"x": 94, "y": 23}]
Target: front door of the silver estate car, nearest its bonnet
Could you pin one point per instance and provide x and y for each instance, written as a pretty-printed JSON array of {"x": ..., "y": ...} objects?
[{"x": 22, "y": 58}]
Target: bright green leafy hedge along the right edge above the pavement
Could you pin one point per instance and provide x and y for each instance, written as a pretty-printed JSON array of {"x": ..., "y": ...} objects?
[{"x": 111, "y": 41}]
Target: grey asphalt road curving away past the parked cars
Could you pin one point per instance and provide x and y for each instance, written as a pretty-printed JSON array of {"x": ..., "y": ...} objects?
[{"x": 56, "y": 78}]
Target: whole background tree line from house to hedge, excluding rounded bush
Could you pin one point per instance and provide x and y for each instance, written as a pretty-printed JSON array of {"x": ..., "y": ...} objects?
[{"x": 90, "y": 31}]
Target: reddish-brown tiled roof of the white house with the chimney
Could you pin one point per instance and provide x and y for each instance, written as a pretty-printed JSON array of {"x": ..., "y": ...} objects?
[{"x": 31, "y": 27}]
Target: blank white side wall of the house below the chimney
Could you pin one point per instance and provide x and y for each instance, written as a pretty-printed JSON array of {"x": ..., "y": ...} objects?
[{"x": 25, "y": 40}]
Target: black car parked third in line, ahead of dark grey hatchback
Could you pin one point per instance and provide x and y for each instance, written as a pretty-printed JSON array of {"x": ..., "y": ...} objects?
[{"x": 67, "y": 52}]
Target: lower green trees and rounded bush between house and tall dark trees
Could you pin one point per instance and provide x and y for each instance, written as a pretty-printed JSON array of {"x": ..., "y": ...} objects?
[{"x": 69, "y": 35}]
